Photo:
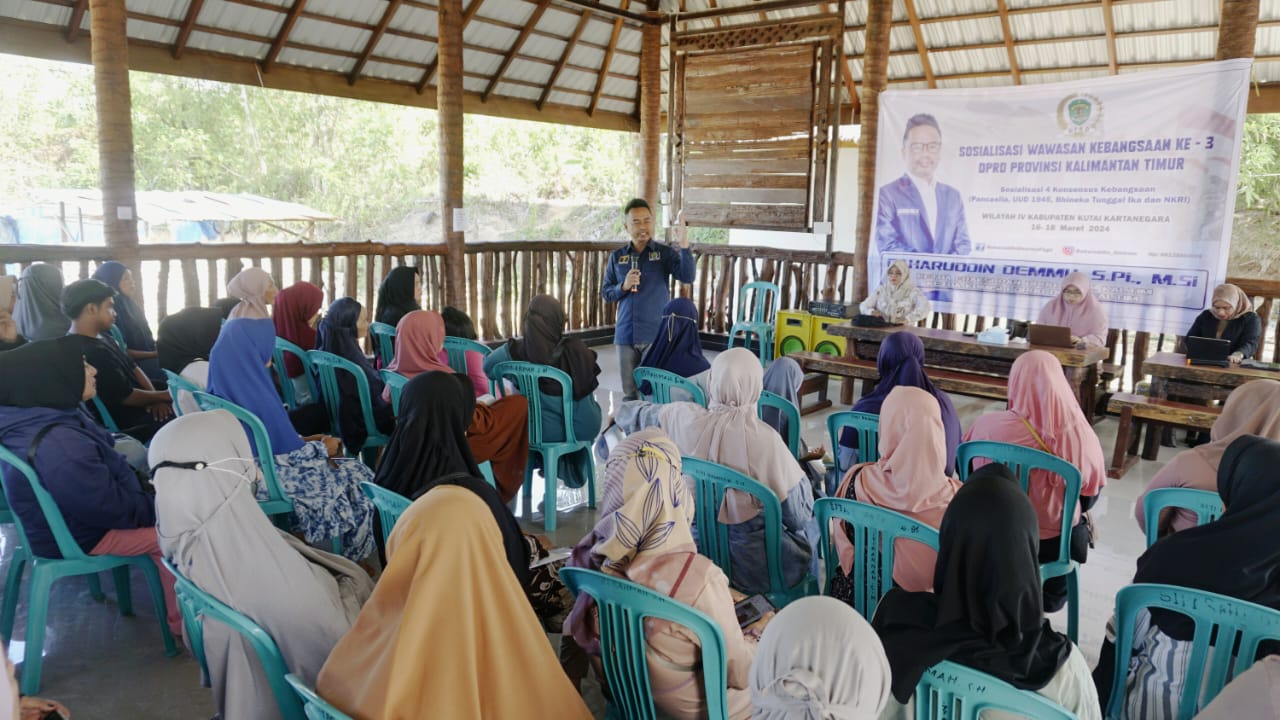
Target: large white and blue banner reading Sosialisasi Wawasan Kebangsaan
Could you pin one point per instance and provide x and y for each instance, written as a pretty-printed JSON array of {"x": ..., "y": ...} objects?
[{"x": 994, "y": 195}]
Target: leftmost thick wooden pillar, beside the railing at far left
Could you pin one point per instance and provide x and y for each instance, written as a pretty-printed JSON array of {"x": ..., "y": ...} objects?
[{"x": 111, "y": 56}]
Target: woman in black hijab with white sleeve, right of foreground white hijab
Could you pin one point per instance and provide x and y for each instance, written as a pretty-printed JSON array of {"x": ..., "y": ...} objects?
[{"x": 986, "y": 609}]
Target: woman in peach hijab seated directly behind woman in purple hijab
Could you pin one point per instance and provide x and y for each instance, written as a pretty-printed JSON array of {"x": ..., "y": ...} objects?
[{"x": 908, "y": 479}]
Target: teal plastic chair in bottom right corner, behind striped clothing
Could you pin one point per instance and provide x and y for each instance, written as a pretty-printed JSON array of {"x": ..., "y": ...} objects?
[{"x": 1227, "y": 623}]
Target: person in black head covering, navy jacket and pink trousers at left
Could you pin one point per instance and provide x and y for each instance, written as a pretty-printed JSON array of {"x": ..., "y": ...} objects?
[{"x": 102, "y": 499}]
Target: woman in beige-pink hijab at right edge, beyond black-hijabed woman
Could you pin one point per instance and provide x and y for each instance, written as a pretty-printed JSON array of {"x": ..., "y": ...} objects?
[{"x": 1252, "y": 409}]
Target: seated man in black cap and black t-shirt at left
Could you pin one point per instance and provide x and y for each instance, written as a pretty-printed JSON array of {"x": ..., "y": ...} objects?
[{"x": 138, "y": 408}]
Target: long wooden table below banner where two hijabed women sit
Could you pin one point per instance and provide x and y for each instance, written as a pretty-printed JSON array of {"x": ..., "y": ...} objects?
[{"x": 953, "y": 350}]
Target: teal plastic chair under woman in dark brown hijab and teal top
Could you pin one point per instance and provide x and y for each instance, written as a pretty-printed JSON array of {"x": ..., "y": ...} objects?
[{"x": 527, "y": 379}]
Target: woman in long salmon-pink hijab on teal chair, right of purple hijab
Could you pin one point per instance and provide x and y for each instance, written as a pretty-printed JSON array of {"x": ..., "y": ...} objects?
[{"x": 1045, "y": 414}]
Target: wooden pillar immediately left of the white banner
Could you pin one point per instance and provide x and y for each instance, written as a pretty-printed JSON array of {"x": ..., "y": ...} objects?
[{"x": 880, "y": 16}]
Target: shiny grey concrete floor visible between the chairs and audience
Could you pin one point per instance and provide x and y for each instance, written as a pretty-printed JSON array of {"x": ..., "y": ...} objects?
[{"x": 104, "y": 667}]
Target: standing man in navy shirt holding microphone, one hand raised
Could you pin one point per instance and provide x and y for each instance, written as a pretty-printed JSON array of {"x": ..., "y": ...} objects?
[{"x": 638, "y": 280}]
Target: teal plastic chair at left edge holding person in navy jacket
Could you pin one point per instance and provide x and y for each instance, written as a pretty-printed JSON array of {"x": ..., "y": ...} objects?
[{"x": 74, "y": 562}]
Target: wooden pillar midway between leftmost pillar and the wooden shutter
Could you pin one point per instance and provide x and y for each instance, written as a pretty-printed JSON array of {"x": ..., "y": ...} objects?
[{"x": 449, "y": 93}]
